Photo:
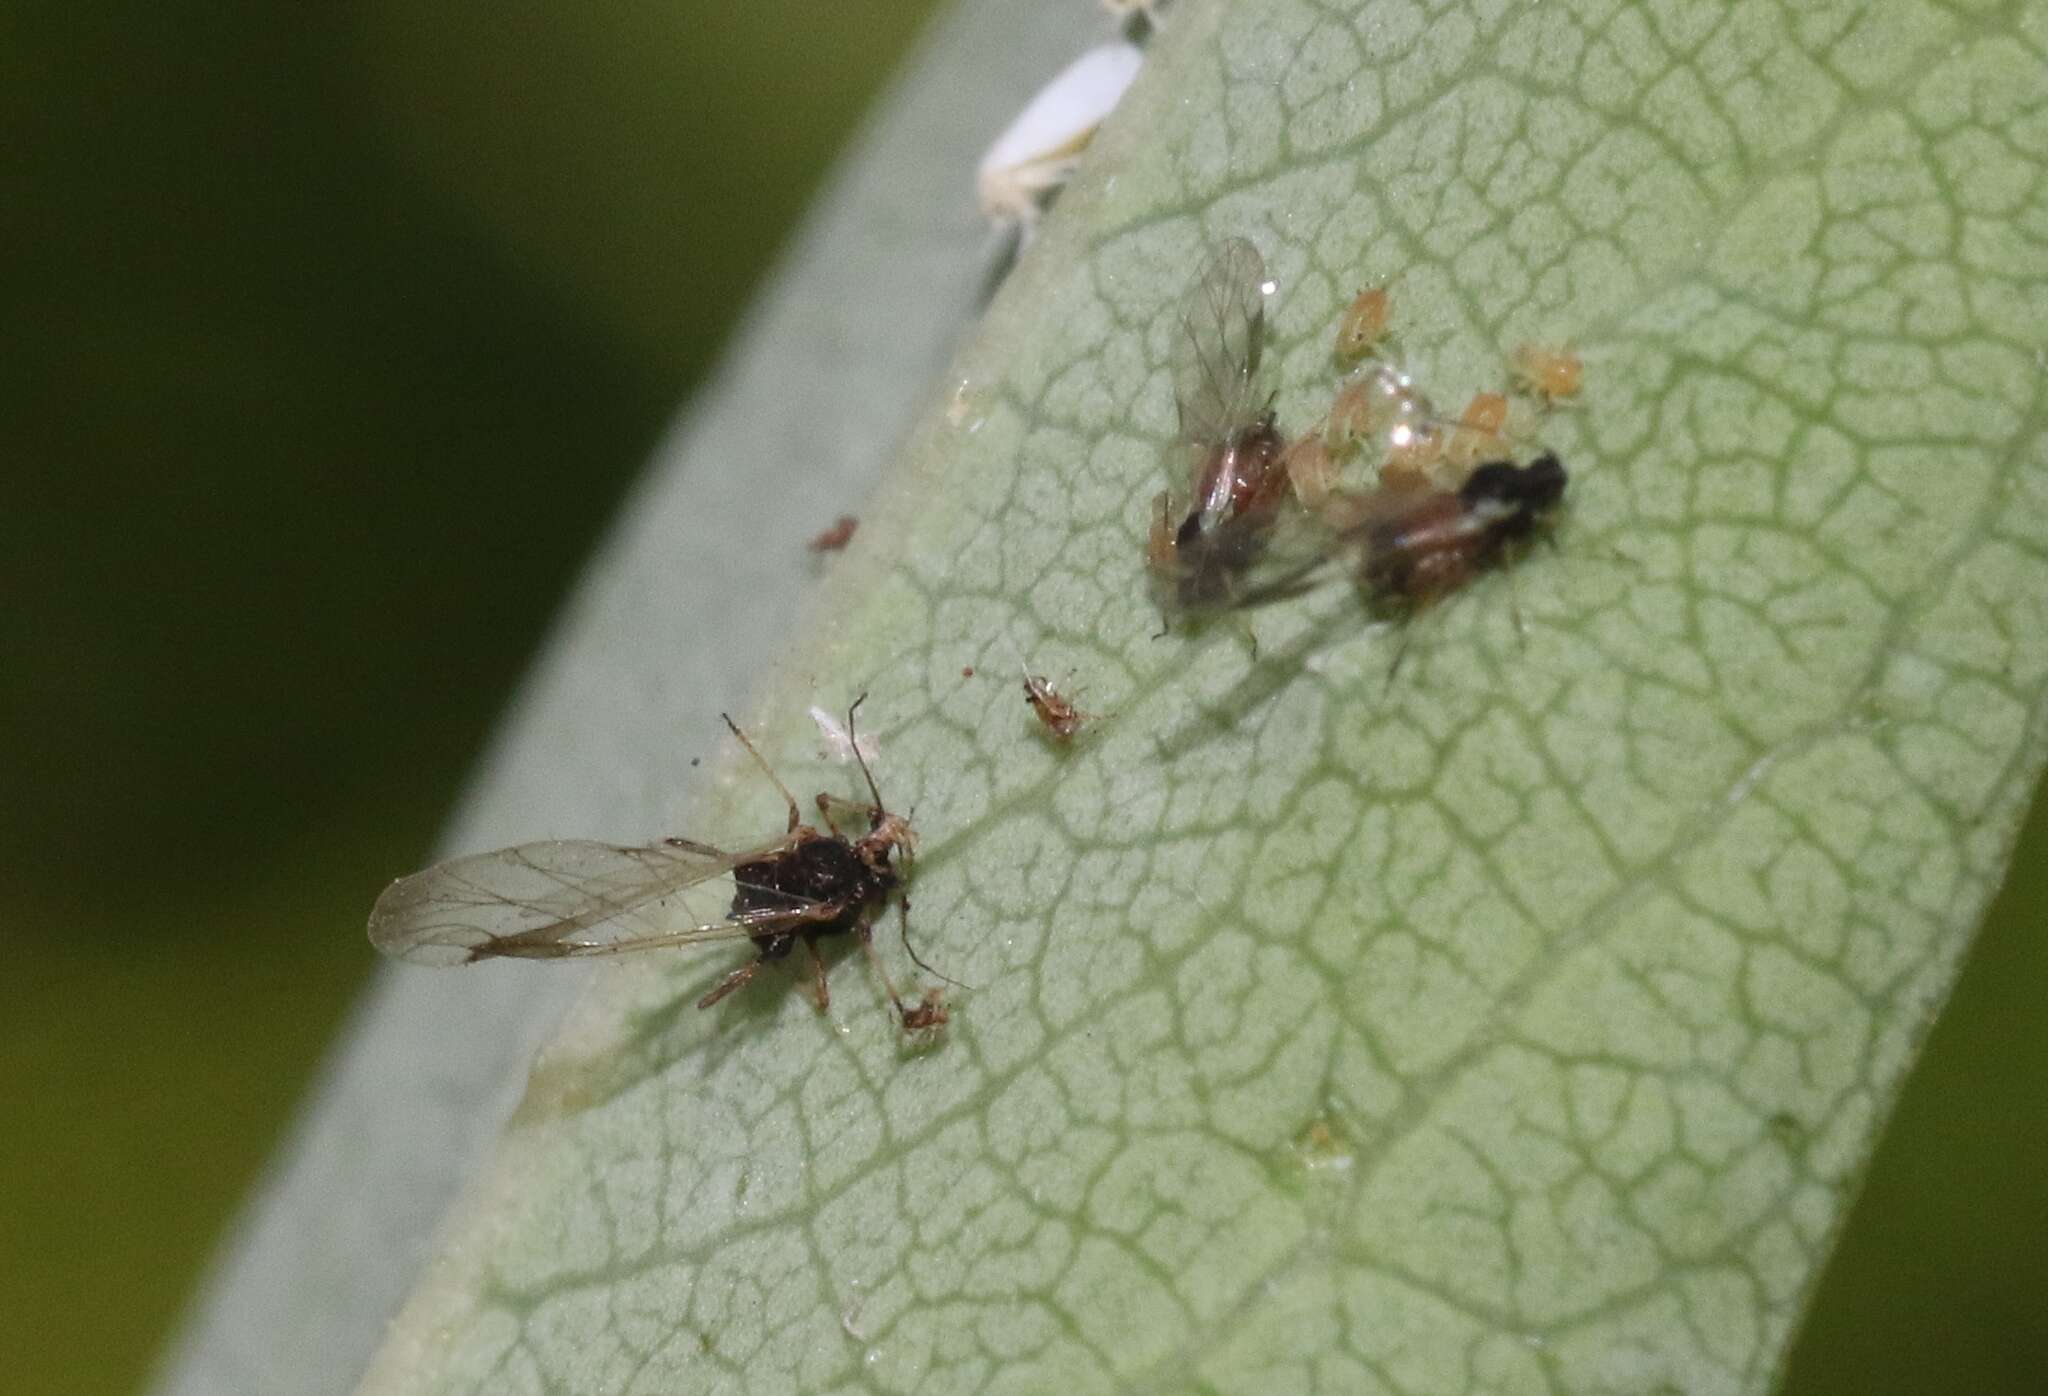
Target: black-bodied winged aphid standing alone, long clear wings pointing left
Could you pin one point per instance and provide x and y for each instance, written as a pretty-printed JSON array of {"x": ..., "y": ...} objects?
[{"x": 577, "y": 898}]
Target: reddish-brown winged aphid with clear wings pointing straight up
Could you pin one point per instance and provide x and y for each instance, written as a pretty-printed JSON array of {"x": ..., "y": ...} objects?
[{"x": 1205, "y": 552}]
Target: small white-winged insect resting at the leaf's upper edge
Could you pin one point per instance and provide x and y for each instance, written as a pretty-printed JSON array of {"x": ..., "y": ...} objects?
[{"x": 1041, "y": 148}]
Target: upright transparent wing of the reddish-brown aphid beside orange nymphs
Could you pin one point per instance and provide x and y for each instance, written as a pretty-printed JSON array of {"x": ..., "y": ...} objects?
[{"x": 1220, "y": 343}]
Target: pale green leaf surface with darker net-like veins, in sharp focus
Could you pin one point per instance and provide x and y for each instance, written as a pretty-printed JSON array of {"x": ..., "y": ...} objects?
[{"x": 1514, "y": 1027}]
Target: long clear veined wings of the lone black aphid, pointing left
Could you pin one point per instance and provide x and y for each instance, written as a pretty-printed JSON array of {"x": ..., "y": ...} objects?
[{"x": 572, "y": 898}]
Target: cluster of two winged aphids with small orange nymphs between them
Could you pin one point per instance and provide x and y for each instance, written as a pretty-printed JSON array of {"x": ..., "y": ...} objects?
[{"x": 1414, "y": 507}]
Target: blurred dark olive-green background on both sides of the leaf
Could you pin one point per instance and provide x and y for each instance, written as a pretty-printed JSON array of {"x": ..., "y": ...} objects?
[{"x": 333, "y": 339}]
